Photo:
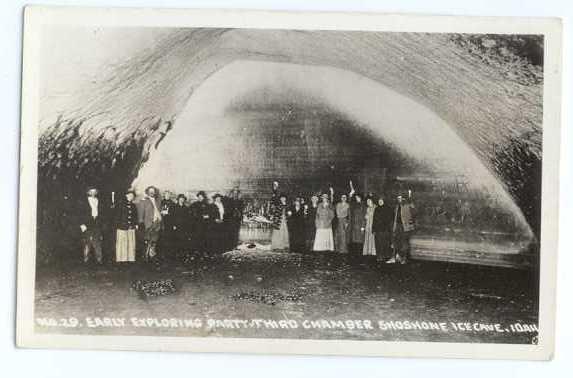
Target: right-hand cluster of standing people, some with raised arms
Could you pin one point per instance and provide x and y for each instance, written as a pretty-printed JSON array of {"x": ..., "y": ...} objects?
[{"x": 347, "y": 224}]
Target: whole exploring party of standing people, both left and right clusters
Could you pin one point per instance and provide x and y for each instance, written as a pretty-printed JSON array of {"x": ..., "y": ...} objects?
[{"x": 349, "y": 224}]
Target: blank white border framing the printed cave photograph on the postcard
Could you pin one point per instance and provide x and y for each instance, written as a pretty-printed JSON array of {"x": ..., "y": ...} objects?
[{"x": 37, "y": 16}]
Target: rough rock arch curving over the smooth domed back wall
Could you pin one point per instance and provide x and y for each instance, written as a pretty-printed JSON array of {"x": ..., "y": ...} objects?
[{"x": 489, "y": 88}]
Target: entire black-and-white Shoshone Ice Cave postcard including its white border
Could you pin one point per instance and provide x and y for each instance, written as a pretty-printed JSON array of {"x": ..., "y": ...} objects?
[{"x": 282, "y": 182}]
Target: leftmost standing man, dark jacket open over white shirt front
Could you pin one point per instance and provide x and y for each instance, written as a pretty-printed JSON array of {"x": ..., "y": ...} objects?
[{"x": 90, "y": 219}]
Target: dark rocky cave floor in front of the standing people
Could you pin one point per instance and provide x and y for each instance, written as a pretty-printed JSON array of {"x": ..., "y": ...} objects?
[{"x": 246, "y": 285}]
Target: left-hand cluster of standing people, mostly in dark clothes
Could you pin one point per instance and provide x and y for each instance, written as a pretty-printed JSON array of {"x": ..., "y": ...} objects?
[{"x": 206, "y": 225}]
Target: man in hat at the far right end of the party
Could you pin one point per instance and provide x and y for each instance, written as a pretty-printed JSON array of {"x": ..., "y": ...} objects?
[{"x": 403, "y": 226}]
